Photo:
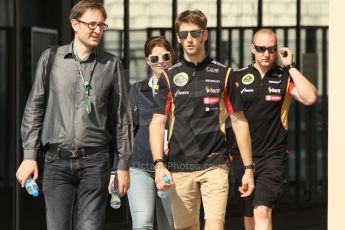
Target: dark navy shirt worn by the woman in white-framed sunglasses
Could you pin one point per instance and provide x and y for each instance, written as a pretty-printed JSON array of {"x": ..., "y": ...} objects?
[{"x": 142, "y": 155}]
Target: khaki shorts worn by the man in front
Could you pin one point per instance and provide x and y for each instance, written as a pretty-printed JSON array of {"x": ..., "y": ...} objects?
[{"x": 210, "y": 184}]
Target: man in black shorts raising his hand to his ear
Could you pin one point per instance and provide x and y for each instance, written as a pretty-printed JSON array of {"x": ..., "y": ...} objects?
[{"x": 266, "y": 91}]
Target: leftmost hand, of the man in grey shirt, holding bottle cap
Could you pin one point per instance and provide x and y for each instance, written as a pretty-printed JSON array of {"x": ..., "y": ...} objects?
[{"x": 26, "y": 169}]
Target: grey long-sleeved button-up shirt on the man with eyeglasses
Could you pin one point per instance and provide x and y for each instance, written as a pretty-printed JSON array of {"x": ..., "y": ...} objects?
[{"x": 66, "y": 122}]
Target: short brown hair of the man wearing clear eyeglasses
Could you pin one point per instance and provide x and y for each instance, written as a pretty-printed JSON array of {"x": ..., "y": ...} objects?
[{"x": 82, "y": 6}]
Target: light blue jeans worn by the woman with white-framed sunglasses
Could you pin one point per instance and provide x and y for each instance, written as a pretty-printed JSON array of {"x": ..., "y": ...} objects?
[{"x": 143, "y": 199}]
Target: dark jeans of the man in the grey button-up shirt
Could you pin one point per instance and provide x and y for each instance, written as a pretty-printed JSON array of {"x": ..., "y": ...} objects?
[{"x": 75, "y": 191}]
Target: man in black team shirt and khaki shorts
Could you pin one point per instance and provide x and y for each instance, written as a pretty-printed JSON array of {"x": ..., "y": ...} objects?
[{"x": 198, "y": 97}]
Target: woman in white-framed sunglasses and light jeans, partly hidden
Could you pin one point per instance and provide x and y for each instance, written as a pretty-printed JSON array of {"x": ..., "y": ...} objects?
[{"x": 142, "y": 194}]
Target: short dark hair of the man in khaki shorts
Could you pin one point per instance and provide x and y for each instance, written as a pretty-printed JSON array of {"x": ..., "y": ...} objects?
[{"x": 196, "y": 17}]
